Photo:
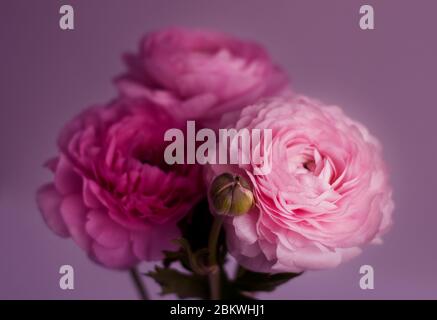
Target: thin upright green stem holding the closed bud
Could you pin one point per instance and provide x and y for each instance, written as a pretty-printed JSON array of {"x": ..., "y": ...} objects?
[{"x": 214, "y": 274}]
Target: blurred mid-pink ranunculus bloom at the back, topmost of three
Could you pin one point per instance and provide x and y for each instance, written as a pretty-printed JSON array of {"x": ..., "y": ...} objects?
[{"x": 199, "y": 74}]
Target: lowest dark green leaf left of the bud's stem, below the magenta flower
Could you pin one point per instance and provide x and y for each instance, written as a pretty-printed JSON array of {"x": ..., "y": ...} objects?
[{"x": 182, "y": 284}]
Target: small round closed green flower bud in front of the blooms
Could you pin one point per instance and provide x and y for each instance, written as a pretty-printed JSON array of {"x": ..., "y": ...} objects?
[{"x": 231, "y": 195}]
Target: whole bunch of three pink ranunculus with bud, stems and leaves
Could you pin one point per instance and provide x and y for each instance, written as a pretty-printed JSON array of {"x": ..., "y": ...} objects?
[{"x": 289, "y": 185}]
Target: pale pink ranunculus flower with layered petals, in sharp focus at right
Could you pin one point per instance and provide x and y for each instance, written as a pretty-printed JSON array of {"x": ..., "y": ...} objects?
[{"x": 327, "y": 193}]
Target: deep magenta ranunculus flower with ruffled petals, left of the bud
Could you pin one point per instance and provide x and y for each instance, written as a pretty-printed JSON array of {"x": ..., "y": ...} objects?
[{"x": 112, "y": 192}]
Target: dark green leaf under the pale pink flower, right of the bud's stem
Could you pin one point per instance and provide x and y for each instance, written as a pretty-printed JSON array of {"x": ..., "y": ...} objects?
[{"x": 247, "y": 280}]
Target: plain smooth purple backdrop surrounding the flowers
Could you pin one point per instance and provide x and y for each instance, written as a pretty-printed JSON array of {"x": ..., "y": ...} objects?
[{"x": 386, "y": 78}]
